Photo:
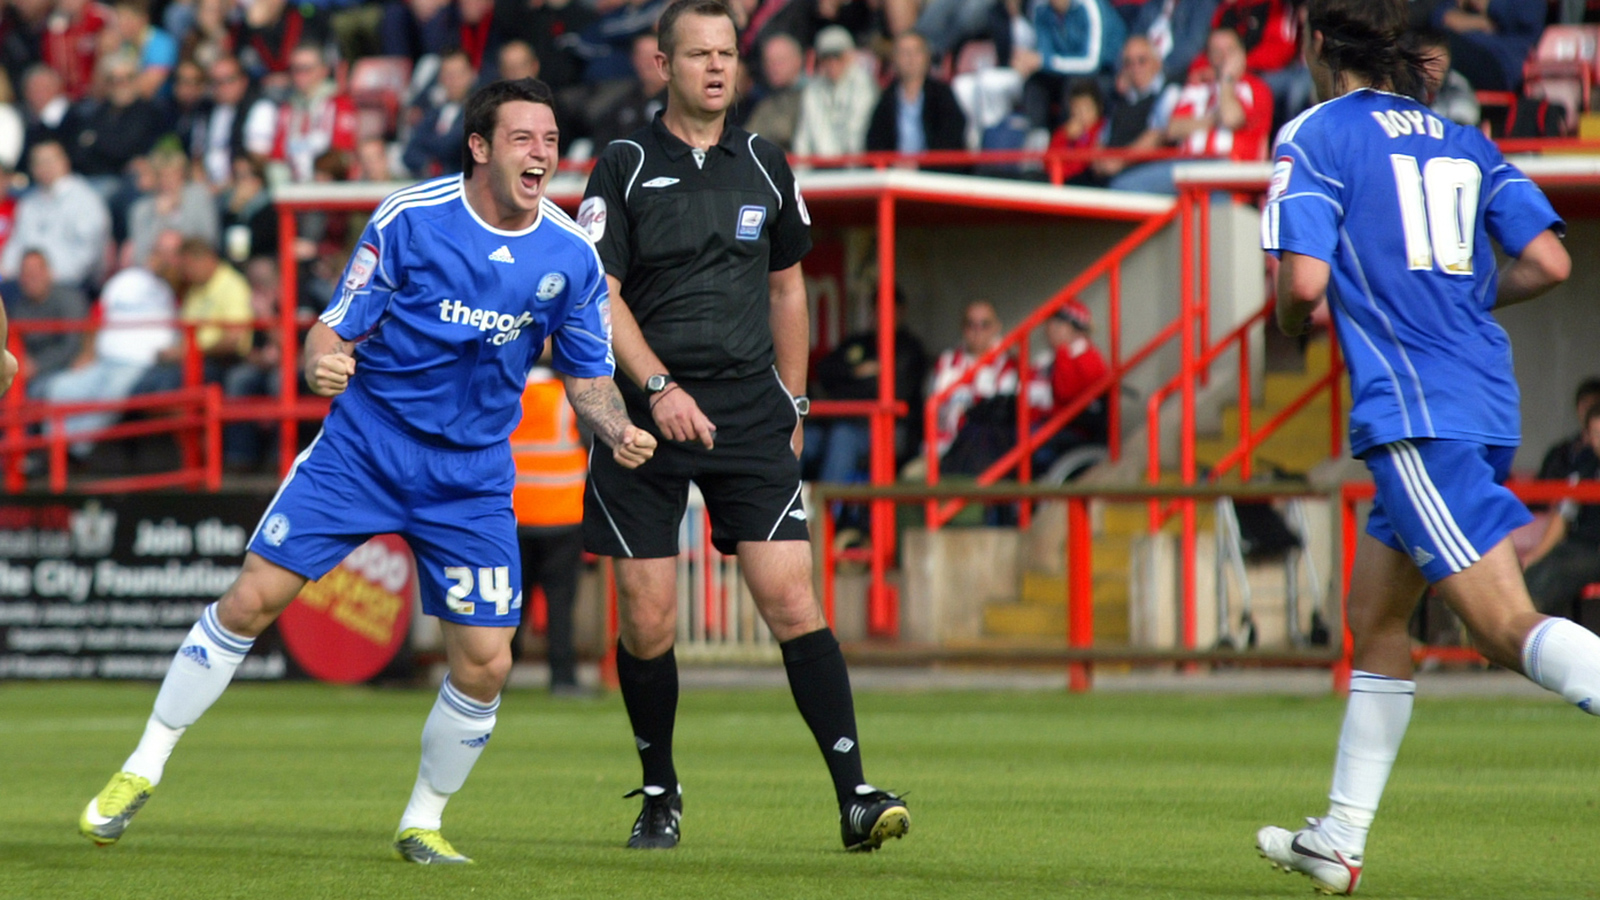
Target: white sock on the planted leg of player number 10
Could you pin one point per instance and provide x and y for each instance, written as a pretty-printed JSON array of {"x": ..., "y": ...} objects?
[{"x": 1375, "y": 725}]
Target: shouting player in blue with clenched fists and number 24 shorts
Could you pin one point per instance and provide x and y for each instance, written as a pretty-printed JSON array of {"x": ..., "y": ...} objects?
[{"x": 444, "y": 310}]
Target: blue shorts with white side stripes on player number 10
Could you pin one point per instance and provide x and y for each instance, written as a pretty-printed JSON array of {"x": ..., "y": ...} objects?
[{"x": 1444, "y": 504}]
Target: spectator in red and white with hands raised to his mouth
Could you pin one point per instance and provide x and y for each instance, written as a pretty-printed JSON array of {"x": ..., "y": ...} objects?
[{"x": 1223, "y": 113}]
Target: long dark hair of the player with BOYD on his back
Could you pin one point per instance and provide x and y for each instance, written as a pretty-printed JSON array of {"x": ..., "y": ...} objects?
[{"x": 1369, "y": 38}]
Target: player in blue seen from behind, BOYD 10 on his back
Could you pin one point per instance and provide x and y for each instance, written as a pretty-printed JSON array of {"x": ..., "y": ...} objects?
[{"x": 1388, "y": 211}]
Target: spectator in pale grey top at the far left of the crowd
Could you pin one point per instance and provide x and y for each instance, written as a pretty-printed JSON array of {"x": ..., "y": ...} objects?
[{"x": 63, "y": 215}]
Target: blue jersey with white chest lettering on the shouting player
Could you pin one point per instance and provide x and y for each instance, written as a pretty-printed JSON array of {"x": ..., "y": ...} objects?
[{"x": 452, "y": 313}]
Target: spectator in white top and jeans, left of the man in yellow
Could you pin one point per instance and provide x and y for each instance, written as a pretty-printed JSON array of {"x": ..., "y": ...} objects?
[{"x": 138, "y": 316}]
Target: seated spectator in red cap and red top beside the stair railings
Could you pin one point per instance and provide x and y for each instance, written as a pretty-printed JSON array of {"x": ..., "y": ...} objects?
[{"x": 1065, "y": 374}]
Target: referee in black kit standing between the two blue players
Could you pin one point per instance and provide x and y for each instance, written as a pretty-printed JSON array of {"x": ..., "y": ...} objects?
[{"x": 702, "y": 230}]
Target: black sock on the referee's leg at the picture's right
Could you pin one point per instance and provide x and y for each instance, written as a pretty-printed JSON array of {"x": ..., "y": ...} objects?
[{"x": 822, "y": 686}]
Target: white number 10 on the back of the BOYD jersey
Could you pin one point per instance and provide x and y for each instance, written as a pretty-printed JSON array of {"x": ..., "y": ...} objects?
[{"x": 1439, "y": 211}]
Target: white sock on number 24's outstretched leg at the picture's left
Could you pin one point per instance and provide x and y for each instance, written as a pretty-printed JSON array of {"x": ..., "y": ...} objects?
[{"x": 199, "y": 675}]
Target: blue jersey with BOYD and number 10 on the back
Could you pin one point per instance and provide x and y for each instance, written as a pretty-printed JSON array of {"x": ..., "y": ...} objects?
[{"x": 1401, "y": 204}]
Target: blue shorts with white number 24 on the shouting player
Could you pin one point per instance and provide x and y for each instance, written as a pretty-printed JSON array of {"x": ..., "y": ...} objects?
[{"x": 364, "y": 478}]
